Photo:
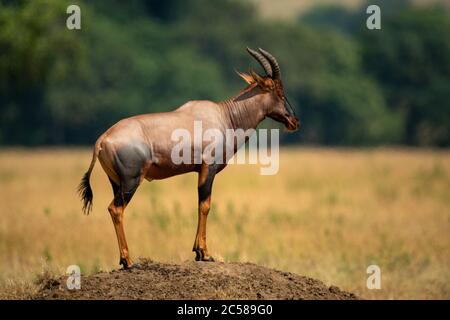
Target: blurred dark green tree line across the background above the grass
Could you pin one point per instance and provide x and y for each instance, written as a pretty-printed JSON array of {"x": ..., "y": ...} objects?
[{"x": 350, "y": 85}]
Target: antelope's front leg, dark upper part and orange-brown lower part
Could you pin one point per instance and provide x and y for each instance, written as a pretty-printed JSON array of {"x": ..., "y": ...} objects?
[{"x": 205, "y": 181}]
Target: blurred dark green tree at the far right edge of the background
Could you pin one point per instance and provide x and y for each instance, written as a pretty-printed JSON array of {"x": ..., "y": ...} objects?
[{"x": 411, "y": 61}]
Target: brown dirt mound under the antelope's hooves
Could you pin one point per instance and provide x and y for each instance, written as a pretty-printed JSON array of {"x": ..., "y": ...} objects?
[{"x": 193, "y": 280}]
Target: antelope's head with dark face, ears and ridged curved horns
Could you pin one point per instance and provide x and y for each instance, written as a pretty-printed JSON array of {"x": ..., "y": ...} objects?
[{"x": 279, "y": 108}]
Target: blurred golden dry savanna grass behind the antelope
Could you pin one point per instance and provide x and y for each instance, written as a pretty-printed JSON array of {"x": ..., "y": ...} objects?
[{"x": 327, "y": 214}]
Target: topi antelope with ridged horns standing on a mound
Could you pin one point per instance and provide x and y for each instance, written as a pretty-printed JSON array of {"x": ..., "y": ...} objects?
[{"x": 139, "y": 147}]
